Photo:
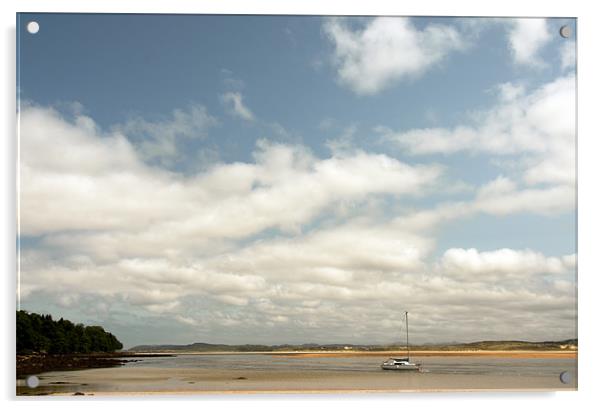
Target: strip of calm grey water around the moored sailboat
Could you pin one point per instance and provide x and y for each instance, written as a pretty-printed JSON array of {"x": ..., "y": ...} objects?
[{"x": 441, "y": 365}]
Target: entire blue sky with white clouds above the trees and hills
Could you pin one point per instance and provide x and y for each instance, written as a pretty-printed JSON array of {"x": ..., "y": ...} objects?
[{"x": 292, "y": 179}]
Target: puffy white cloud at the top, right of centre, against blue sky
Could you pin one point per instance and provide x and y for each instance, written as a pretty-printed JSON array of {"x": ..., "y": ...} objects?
[{"x": 387, "y": 50}]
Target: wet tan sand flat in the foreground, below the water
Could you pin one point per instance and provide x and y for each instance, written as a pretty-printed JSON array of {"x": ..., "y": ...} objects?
[{"x": 140, "y": 380}]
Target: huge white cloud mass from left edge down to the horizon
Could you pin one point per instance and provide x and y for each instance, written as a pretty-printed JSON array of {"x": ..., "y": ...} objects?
[{"x": 262, "y": 248}]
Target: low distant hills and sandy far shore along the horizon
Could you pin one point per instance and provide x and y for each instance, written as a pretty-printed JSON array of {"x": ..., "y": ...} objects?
[{"x": 472, "y": 346}]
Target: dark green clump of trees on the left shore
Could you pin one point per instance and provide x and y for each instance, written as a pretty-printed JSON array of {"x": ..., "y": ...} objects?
[{"x": 40, "y": 333}]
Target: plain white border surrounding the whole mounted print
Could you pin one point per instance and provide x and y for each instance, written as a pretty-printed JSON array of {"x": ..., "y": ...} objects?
[{"x": 589, "y": 147}]
